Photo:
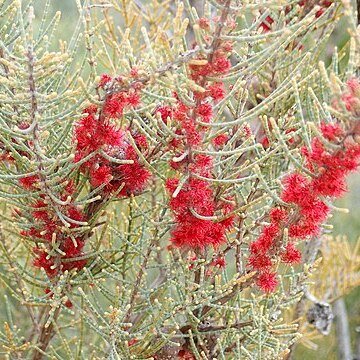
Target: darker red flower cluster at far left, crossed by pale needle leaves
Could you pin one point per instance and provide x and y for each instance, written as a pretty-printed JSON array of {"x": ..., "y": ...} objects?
[{"x": 48, "y": 229}]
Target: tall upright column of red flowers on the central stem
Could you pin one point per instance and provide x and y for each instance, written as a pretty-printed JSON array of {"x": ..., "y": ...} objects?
[{"x": 196, "y": 196}]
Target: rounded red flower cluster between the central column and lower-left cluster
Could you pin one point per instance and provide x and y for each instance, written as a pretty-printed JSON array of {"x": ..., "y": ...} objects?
[{"x": 95, "y": 133}]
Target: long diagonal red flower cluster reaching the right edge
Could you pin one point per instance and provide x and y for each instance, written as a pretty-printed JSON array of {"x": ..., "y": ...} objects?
[{"x": 309, "y": 211}]
